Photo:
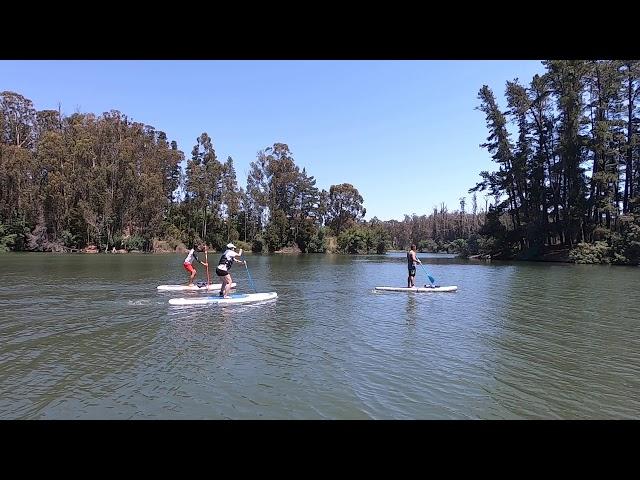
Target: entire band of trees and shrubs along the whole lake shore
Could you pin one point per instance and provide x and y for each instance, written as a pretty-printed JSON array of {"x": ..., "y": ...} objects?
[{"x": 566, "y": 185}]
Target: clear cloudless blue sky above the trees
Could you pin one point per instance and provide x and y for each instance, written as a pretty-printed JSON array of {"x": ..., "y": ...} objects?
[{"x": 404, "y": 133}]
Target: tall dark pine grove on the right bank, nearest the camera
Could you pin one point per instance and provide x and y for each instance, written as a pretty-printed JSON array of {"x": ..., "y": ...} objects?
[{"x": 568, "y": 178}]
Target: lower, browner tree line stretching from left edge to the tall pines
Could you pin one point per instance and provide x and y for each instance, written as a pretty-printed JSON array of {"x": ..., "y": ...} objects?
[{"x": 70, "y": 182}]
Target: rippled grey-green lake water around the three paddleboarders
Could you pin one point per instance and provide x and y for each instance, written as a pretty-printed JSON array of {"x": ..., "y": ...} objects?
[{"x": 89, "y": 337}]
